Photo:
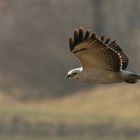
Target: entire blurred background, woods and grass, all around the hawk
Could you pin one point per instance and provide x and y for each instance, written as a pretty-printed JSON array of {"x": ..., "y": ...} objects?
[{"x": 36, "y": 99}]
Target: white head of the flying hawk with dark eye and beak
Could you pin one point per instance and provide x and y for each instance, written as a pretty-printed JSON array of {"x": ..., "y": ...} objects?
[{"x": 75, "y": 74}]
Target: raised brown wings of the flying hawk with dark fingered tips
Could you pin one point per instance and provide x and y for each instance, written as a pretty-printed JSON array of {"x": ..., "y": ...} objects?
[{"x": 94, "y": 51}]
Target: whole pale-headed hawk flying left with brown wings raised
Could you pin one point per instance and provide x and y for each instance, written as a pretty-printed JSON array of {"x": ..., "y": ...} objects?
[{"x": 102, "y": 61}]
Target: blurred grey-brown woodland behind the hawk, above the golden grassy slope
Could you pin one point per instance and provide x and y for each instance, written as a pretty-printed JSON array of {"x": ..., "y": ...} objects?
[{"x": 34, "y": 53}]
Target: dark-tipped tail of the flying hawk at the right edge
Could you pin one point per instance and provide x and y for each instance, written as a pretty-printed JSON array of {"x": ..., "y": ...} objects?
[{"x": 130, "y": 77}]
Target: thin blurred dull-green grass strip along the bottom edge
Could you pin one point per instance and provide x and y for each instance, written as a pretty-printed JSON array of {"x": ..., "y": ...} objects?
[{"x": 65, "y": 137}]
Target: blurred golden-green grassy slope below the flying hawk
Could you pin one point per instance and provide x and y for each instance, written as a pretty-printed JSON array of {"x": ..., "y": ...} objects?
[{"x": 116, "y": 104}]
